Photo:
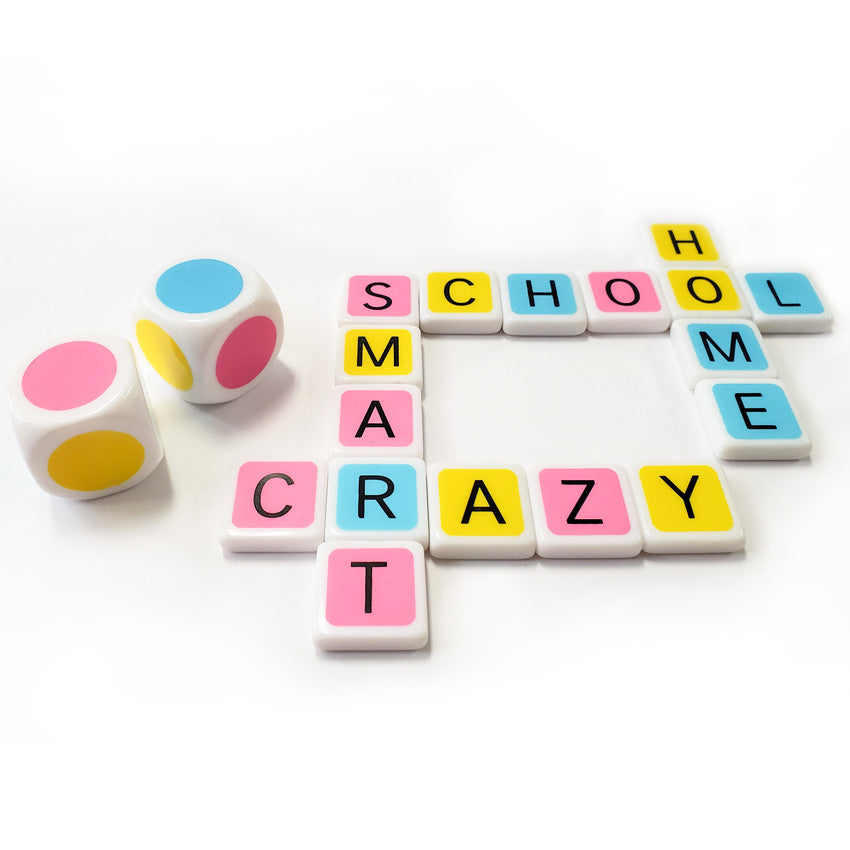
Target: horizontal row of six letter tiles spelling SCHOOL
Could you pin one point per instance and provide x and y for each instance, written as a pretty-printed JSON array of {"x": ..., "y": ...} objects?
[{"x": 559, "y": 304}]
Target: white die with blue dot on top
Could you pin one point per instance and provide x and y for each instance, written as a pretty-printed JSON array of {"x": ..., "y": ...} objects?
[{"x": 211, "y": 328}]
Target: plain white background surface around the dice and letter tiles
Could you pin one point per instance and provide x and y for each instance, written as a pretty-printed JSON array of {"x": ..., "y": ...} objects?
[{"x": 156, "y": 693}]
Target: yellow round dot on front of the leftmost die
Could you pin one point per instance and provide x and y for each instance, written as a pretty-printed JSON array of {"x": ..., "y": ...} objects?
[{"x": 96, "y": 460}]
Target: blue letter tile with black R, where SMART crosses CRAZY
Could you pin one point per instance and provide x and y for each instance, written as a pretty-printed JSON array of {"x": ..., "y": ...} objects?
[{"x": 377, "y": 499}]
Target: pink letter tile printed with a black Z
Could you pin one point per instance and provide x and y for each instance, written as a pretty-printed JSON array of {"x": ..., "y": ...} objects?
[{"x": 584, "y": 512}]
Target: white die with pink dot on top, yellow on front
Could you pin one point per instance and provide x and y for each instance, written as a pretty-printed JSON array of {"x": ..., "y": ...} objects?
[{"x": 82, "y": 419}]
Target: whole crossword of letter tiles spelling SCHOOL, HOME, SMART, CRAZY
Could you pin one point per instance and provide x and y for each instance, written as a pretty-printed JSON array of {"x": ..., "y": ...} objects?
[{"x": 372, "y": 510}]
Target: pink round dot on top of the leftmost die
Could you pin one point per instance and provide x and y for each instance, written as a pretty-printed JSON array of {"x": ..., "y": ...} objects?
[{"x": 69, "y": 375}]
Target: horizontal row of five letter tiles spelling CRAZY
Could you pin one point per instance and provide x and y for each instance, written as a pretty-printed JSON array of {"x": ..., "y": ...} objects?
[{"x": 483, "y": 512}]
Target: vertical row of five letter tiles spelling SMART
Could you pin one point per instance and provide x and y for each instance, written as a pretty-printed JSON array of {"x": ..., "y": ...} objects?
[{"x": 371, "y": 588}]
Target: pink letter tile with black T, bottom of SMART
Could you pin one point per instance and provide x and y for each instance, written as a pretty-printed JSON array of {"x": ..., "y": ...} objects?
[{"x": 371, "y": 596}]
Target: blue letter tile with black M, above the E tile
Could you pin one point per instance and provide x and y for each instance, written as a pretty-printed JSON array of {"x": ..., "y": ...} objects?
[{"x": 718, "y": 348}]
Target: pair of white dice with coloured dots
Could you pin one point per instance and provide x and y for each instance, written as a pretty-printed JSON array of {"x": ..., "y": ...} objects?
[{"x": 210, "y": 328}]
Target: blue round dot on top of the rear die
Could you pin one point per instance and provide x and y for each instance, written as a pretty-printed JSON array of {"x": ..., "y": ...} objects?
[{"x": 199, "y": 286}]
